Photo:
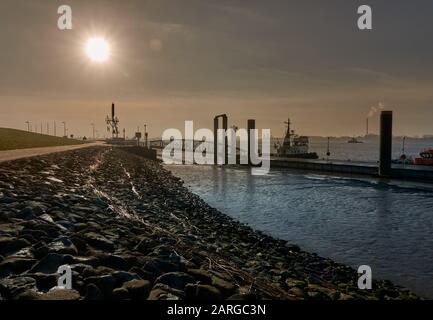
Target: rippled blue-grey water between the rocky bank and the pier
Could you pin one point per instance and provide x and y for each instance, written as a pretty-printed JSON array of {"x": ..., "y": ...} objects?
[{"x": 353, "y": 221}]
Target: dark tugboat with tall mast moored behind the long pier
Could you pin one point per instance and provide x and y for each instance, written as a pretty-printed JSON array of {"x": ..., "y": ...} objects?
[{"x": 294, "y": 146}]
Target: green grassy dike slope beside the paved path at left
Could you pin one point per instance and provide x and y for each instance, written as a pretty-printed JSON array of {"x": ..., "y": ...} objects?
[{"x": 12, "y": 139}]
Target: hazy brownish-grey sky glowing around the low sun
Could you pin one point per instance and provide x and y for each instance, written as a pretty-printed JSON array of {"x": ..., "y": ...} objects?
[{"x": 176, "y": 60}]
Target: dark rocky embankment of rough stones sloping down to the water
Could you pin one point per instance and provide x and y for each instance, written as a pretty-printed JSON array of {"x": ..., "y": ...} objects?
[{"x": 129, "y": 229}]
